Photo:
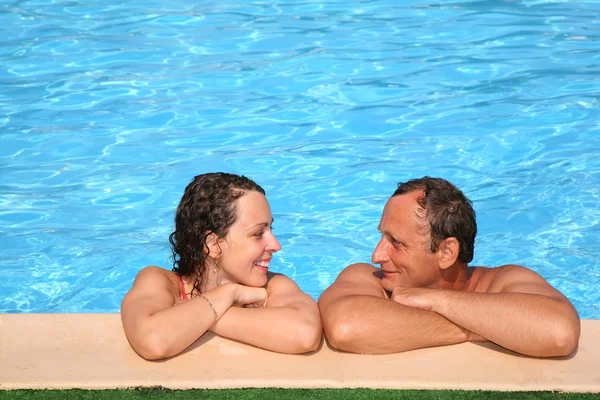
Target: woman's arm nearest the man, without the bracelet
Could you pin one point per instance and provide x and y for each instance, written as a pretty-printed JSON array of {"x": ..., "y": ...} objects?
[{"x": 290, "y": 322}]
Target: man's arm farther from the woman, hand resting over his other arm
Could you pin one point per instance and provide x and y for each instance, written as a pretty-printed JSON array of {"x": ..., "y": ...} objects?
[{"x": 519, "y": 311}]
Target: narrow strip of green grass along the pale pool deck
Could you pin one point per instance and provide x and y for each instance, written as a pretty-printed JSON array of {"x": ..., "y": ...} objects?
[{"x": 285, "y": 394}]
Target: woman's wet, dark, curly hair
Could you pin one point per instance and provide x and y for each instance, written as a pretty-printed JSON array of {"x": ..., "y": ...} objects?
[{"x": 208, "y": 206}]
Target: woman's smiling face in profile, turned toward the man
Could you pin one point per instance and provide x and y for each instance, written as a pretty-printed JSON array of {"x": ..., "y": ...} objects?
[{"x": 249, "y": 245}]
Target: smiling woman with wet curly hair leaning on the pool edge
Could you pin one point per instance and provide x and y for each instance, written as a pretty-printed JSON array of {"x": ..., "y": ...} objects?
[{"x": 222, "y": 246}]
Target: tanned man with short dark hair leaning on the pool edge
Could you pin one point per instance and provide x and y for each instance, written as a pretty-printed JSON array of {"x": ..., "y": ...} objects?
[{"x": 426, "y": 295}]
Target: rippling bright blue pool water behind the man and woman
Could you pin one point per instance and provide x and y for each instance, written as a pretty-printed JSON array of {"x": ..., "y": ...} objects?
[{"x": 109, "y": 108}]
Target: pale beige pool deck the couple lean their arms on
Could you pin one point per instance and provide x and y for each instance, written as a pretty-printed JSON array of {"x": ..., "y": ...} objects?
[{"x": 59, "y": 351}]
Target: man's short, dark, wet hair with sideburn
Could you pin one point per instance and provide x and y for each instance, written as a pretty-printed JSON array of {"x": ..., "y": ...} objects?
[{"x": 449, "y": 213}]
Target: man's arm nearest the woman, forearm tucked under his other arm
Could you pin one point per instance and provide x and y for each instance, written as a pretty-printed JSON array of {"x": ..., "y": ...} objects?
[{"x": 358, "y": 318}]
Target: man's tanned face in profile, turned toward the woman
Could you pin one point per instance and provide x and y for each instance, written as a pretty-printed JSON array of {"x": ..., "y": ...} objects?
[{"x": 403, "y": 252}]
